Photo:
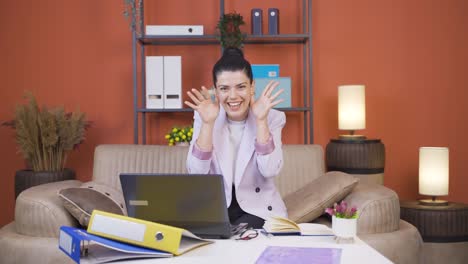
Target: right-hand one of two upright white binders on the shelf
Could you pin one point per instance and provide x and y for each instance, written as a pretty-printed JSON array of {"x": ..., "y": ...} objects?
[{"x": 172, "y": 82}]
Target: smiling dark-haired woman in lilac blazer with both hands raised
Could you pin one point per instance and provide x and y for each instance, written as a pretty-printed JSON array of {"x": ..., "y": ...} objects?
[{"x": 240, "y": 138}]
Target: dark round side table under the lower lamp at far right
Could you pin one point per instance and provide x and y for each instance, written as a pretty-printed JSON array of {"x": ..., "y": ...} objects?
[{"x": 444, "y": 230}]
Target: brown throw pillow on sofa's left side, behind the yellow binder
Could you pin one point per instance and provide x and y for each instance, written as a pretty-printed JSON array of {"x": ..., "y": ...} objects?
[{"x": 80, "y": 202}]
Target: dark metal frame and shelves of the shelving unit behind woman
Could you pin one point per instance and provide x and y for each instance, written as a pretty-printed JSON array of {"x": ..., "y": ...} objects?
[{"x": 304, "y": 39}]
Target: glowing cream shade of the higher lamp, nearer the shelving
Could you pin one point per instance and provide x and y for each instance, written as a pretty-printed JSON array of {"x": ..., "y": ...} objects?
[{"x": 351, "y": 107}]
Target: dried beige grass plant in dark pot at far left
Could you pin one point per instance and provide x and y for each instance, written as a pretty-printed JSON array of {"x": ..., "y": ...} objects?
[{"x": 45, "y": 137}]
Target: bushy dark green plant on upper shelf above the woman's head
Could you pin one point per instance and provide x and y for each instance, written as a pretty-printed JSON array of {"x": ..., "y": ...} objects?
[{"x": 229, "y": 31}]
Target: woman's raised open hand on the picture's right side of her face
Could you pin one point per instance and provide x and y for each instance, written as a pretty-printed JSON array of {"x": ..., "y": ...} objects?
[{"x": 265, "y": 101}]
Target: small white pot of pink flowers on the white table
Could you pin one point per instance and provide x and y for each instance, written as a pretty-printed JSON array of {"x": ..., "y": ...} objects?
[{"x": 344, "y": 221}]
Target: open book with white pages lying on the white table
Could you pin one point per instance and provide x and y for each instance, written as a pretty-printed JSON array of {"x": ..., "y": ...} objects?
[{"x": 283, "y": 226}]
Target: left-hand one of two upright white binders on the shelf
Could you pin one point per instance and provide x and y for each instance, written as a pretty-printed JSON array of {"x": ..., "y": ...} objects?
[{"x": 154, "y": 82}]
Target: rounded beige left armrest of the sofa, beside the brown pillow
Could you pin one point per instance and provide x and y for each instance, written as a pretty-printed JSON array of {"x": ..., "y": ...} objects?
[{"x": 39, "y": 212}]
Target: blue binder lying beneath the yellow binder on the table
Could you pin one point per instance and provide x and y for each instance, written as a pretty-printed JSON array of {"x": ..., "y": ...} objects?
[{"x": 80, "y": 245}]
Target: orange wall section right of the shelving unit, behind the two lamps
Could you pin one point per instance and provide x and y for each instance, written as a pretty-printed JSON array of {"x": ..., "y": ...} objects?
[{"x": 412, "y": 56}]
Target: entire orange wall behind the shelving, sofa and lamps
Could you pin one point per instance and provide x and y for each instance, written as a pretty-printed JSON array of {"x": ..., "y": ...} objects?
[{"x": 410, "y": 55}]
